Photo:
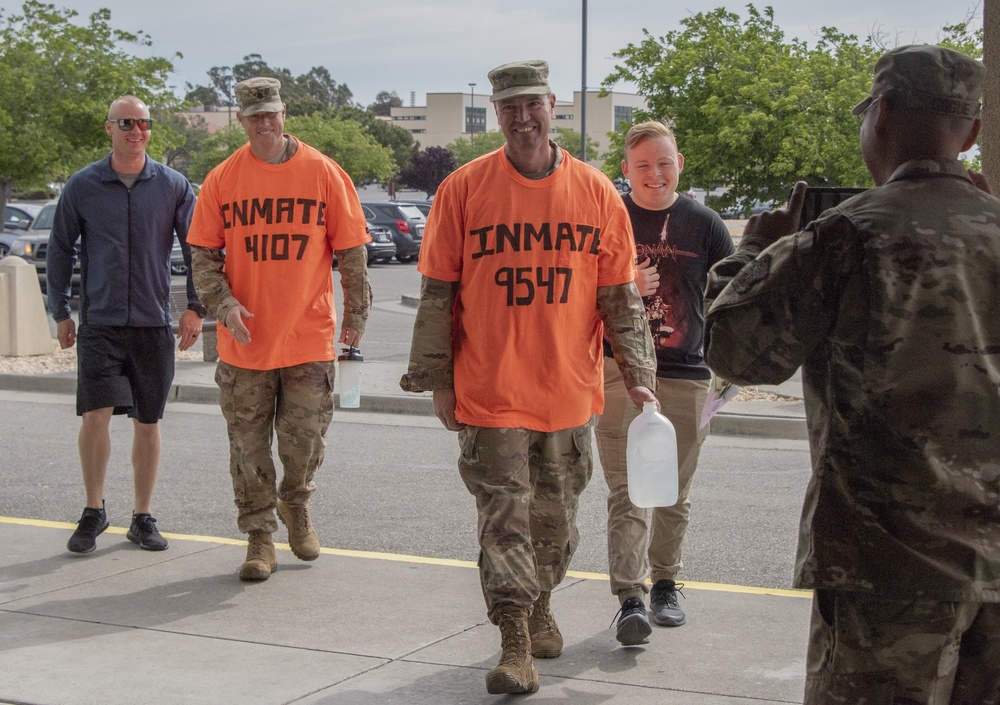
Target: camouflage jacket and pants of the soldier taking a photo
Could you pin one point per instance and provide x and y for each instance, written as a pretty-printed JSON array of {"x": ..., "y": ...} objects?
[{"x": 889, "y": 304}]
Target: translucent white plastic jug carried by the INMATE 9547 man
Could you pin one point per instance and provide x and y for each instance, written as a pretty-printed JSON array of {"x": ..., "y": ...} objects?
[{"x": 651, "y": 459}]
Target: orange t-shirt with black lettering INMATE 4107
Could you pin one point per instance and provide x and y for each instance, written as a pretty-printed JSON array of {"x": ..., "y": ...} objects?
[{"x": 280, "y": 224}]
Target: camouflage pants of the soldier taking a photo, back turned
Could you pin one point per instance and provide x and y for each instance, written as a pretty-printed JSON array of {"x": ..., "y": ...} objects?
[{"x": 867, "y": 650}]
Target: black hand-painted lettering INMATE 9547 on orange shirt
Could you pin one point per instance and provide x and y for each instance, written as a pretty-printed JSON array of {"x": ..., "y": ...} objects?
[{"x": 524, "y": 285}]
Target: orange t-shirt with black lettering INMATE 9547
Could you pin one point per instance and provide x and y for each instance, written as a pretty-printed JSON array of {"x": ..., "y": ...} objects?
[{"x": 529, "y": 256}]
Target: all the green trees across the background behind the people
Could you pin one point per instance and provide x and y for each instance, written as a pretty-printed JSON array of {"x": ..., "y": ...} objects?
[{"x": 753, "y": 111}]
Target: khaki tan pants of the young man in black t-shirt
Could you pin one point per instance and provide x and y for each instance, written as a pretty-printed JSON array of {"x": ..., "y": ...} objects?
[{"x": 644, "y": 541}]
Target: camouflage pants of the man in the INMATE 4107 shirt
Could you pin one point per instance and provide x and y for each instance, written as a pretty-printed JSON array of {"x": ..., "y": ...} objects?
[{"x": 294, "y": 403}]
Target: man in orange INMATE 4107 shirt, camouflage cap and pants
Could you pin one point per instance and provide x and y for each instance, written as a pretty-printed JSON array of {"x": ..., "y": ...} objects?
[{"x": 265, "y": 228}]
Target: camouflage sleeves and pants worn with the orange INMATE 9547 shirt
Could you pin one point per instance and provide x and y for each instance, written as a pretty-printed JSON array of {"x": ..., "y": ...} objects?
[{"x": 526, "y": 483}]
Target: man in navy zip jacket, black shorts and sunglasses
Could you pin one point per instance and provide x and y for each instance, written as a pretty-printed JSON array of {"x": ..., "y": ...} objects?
[{"x": 120, "y": 214}]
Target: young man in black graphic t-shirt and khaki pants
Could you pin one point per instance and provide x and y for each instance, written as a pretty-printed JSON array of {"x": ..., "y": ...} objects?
[{"x": 677, "y": 242}]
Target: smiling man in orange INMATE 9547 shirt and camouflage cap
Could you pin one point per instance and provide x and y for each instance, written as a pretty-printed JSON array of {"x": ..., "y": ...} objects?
[{"x": 527, "y": 257}]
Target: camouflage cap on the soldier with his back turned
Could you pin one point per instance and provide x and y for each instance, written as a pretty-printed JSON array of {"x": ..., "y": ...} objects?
[{"x": 929, "y": 78}]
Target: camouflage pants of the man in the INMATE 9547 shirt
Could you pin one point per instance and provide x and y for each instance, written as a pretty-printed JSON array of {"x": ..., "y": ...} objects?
[{"x": 527, "y": 486}]
